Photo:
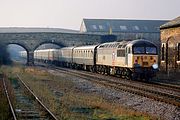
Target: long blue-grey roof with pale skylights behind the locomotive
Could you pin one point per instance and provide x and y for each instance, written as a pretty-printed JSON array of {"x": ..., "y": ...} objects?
[{"x": 121, "y": 25}]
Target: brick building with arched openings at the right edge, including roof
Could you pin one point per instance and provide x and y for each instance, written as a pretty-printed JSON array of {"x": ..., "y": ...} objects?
[{"x": 170, "y": 48}]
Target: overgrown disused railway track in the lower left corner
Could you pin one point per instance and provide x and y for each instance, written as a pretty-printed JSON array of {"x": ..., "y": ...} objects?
[{"x": 27, "y": 106}]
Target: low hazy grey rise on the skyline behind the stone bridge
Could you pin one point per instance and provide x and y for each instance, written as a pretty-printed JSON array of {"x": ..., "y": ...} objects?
[{"x": 34, "y": 30}]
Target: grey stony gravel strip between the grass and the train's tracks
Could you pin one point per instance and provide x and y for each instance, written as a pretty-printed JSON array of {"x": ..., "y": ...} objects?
[{"x": 159, "y": 109}]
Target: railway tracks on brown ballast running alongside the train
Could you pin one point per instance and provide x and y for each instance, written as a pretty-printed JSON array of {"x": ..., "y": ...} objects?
[{"x": 158, "y": 92}]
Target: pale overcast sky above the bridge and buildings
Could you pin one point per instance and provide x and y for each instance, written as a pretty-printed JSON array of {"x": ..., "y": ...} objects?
[{"x": 69, "y": 13}]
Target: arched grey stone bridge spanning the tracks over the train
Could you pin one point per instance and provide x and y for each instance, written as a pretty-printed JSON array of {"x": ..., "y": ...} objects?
[{"x": 30, "y": 41}]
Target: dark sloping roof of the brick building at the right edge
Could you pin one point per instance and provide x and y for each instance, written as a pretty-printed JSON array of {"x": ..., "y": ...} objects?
[{"x": 173, "y": 23}]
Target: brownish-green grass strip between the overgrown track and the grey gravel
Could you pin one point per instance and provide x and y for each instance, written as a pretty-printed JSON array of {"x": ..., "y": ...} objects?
[{"x": 61, "y": 96}]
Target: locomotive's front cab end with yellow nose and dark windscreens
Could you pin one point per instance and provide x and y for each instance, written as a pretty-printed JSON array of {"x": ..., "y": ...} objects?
[{"x": 142, "y": 58}]
